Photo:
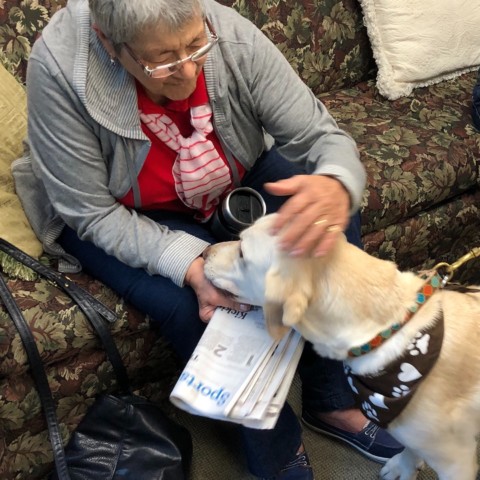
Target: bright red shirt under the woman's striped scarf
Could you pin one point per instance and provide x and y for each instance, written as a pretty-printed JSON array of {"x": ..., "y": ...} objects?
[{"x": 155, "y": 180}]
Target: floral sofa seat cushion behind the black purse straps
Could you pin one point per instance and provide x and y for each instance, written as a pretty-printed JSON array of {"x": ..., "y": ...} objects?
[{"x": 60, "y": 328}]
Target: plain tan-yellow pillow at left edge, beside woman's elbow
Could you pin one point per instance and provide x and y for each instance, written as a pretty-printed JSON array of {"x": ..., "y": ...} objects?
[{"x": 14, "y": 226}]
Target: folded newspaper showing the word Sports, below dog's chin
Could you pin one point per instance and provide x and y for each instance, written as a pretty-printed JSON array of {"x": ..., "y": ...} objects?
[{"x": 238, "y": 372}]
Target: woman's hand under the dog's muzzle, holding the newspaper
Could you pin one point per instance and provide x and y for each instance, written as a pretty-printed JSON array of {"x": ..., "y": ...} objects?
[{"x": 209, "y": 297}]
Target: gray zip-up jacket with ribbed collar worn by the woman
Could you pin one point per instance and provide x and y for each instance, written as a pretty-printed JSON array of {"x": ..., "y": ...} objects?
[{"x": 87, "y": 146}]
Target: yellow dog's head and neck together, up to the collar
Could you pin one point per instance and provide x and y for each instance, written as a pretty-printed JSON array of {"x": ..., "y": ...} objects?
[{"x": 335, "y": 301}]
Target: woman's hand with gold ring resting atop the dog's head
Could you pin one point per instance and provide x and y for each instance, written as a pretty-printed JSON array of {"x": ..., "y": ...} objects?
[{"x": 316, "y": 213}]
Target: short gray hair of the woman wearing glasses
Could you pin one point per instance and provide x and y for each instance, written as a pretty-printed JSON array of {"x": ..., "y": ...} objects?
[{"x": 123, "y": 20}]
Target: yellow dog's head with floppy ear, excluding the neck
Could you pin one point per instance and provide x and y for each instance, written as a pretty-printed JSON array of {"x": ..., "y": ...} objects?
[{"x": 257, "y": 272}]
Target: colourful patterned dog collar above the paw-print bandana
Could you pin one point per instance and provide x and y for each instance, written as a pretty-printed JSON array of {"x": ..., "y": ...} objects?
[{"x": 433, "y": 282}]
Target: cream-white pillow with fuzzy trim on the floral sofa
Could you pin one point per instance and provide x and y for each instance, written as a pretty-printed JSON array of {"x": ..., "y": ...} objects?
[{"x": 421, "y": 42}]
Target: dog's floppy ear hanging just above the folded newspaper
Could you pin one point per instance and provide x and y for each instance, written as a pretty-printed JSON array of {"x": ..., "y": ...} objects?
[{"x": 286, "y": 302}]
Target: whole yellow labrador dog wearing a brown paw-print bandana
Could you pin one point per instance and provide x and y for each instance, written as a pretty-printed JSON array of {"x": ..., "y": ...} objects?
[{"x": 411, "y": 349}]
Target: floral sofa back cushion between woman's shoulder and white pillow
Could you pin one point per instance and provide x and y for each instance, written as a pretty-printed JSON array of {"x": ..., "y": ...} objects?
[{"x": 325, "y": 42}]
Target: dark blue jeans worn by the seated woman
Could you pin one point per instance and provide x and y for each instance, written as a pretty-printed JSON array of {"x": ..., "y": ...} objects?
[{"x": 174, "y": 312}]
